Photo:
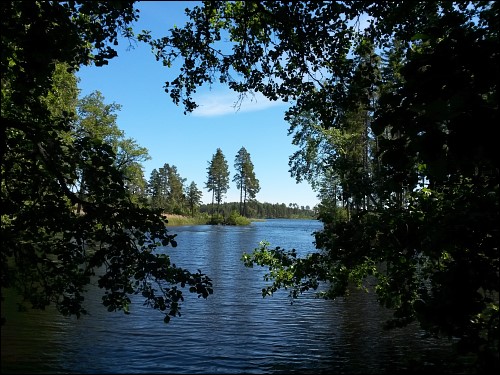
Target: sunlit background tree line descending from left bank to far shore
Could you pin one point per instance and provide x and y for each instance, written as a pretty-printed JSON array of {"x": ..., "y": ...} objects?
[{"x": 166, "y": 190}]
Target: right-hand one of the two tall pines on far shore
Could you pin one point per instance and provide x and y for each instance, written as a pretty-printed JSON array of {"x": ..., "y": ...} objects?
[{"x": 245, "y": 178}]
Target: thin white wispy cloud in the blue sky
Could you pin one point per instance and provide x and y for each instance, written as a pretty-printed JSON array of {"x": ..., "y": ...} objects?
[{"x": 219, "y": 104}]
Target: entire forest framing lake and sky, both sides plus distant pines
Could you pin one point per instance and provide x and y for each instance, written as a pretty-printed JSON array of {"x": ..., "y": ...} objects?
[{"x": 395, "y": 124}]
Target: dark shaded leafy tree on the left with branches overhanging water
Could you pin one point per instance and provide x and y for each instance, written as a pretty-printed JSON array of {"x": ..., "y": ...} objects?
[{"x": 50, "y": 252}]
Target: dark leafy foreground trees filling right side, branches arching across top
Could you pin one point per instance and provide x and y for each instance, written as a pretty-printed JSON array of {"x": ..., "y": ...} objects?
[{"x": 419, "y": 174}]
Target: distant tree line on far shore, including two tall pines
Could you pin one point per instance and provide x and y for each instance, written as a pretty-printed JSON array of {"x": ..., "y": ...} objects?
[{"x": 168, "y": 191}]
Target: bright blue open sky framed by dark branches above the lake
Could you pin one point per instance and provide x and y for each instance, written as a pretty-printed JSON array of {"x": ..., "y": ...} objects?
[{"x": 135, "y": 81}]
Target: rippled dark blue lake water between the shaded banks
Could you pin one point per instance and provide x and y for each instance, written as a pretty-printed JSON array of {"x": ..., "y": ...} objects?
[{"x": 235, "y": 330}]
